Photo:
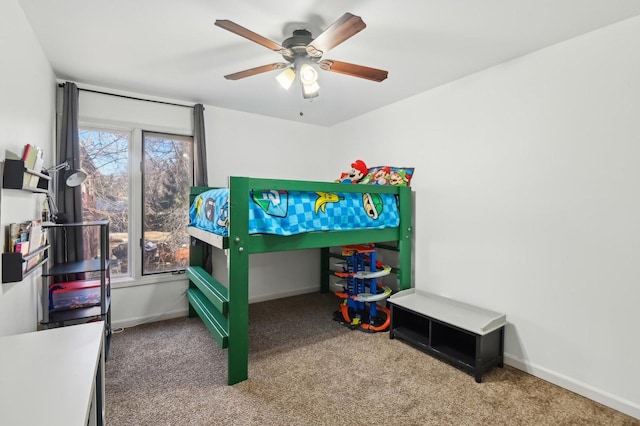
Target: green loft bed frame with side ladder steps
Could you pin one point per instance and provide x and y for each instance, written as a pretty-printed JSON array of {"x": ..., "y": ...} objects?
[{"x": 225, "y": 310}]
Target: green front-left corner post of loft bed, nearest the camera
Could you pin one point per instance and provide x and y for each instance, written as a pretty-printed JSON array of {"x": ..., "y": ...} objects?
[{"x": 238, "y": 351}]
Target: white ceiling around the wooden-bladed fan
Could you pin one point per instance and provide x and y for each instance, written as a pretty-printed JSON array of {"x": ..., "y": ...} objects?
[{"x": 171, "y": 49}]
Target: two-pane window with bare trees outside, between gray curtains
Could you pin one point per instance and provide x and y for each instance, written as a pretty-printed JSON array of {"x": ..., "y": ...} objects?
[{"x": 147, "y": 206}]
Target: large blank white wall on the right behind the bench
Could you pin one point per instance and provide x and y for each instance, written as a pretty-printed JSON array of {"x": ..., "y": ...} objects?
[{"x": 527, "y": 184}]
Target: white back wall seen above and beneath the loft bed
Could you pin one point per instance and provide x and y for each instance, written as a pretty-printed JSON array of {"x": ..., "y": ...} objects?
[{"x": 241, "y": 144}]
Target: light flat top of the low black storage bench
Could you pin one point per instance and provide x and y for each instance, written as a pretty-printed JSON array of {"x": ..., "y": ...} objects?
[{"x": 462, "y": 315}]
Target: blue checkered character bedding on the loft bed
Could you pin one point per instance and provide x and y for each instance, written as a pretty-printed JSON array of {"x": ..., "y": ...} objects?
[{"x": 296, "y": 212}]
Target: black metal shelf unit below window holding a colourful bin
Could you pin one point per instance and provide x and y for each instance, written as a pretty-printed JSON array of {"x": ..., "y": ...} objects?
[{"x": 99, "y": 268}]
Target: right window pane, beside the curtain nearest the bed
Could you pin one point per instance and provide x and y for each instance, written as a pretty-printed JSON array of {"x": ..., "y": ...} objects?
[{"x": 167, "y": 176}]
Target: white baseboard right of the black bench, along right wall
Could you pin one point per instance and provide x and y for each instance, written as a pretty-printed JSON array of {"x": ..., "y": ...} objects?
[{"x": 620, "y": 404}]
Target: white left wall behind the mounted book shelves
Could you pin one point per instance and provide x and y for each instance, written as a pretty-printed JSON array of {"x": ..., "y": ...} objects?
[{"x": 27, "y": 85}]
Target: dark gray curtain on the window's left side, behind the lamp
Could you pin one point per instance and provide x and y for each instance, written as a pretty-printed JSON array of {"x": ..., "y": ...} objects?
[{"x": 68, "y": 242}]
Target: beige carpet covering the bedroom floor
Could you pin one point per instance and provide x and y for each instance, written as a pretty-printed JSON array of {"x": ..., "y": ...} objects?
[{"x": 306, "y": 369}]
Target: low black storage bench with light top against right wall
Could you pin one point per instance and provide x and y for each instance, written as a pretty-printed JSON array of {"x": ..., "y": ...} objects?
[{"x": 468, "y": 337}]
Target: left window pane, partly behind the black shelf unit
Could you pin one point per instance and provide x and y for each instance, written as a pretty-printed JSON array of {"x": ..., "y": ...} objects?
[{"x": 104, "y": 155}]
